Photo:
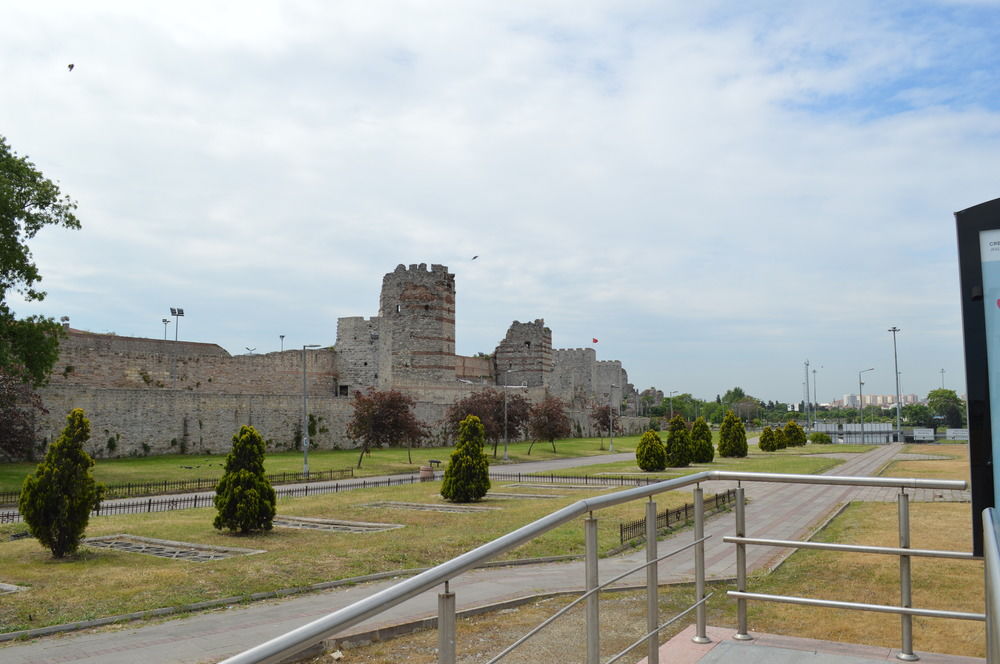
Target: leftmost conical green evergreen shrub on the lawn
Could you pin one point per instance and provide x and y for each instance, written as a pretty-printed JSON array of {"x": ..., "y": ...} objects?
[{"x": 56, "y": 500}]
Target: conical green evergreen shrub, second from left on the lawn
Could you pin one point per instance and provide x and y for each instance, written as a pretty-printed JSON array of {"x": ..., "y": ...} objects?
[{"x": 244, "y": 497}]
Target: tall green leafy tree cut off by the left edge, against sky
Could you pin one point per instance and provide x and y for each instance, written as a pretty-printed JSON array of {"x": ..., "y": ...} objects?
[{"x": 29, "y": 347}]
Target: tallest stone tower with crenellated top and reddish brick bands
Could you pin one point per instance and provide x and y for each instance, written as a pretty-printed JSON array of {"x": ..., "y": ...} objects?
[{"x": 417, "y": 326}]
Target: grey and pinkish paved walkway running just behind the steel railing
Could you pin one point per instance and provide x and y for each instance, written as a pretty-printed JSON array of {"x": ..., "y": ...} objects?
[{"x": 785, "y": 511}]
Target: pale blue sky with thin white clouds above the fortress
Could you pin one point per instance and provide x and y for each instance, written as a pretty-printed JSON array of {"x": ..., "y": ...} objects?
[{"x": 716, "y": 191}]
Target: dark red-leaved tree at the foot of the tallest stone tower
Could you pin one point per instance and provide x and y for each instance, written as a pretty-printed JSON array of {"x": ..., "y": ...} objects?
[{"x": 383, "y": 418}]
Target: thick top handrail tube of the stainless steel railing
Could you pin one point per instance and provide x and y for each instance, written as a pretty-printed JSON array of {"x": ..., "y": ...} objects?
[{"x": 281, "y": 647}]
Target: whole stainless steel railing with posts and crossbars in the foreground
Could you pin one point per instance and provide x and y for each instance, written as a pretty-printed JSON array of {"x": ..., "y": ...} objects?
[{"x": 286, "y": 645}]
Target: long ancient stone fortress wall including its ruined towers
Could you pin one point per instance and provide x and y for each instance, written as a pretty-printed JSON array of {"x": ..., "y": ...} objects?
[{"x": 150, "y": 396}]
